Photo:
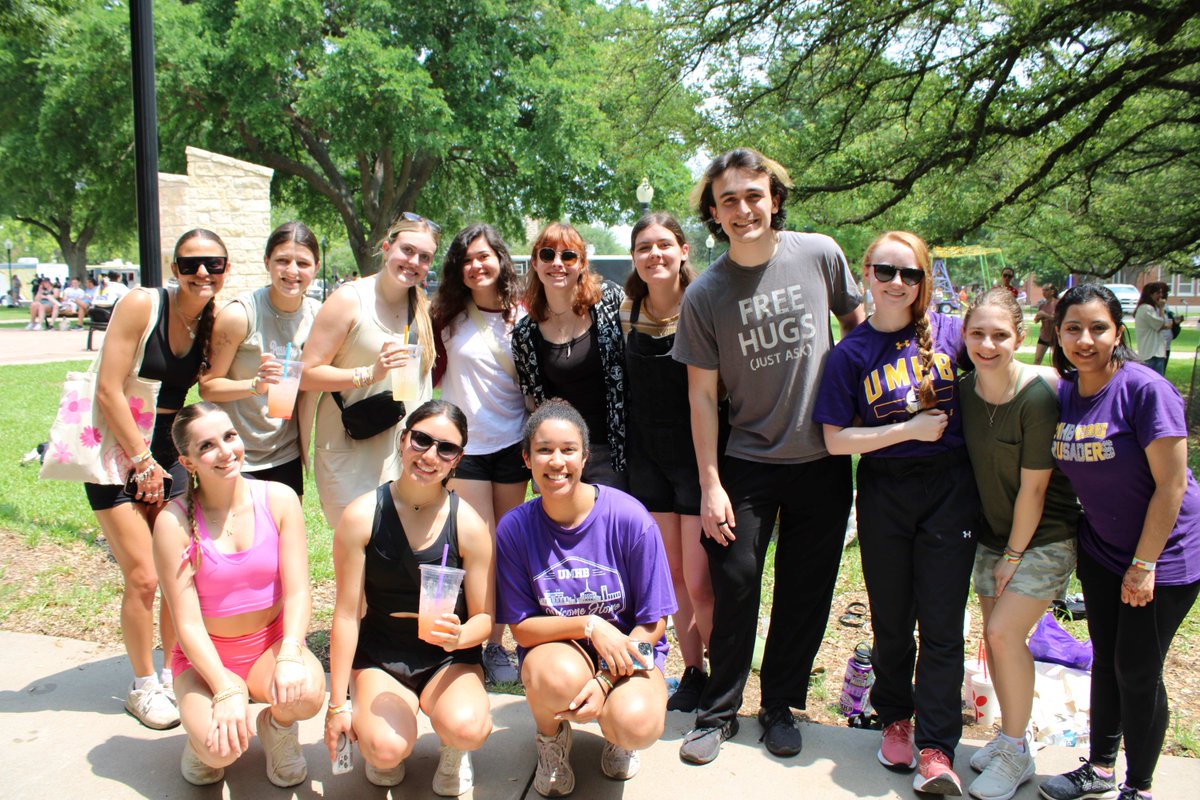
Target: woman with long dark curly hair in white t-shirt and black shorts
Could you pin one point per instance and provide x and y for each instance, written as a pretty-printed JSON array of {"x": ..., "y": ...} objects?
[{"x": 476, "y": 309}]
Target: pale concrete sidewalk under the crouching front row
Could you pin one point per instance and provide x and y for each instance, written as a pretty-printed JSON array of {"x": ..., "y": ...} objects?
[{"x": 67, "y": 735}]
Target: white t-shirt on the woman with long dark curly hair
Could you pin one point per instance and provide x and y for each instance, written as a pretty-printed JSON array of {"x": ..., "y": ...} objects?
[{"x": 477, "y": 383}]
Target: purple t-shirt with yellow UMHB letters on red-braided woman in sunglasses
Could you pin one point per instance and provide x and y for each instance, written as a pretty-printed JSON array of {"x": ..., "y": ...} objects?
[{"x": 872, "y": 381}]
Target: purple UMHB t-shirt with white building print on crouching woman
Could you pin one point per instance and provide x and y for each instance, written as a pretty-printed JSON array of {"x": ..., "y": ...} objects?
[{"x": 611, "y": 566}]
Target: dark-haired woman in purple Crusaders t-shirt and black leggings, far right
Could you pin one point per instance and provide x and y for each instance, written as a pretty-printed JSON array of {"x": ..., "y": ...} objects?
[{"x": 1123, "y": 442}]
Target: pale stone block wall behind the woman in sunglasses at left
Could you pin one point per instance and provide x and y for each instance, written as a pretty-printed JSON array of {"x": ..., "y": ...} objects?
[{"x": 230, "y": 197}]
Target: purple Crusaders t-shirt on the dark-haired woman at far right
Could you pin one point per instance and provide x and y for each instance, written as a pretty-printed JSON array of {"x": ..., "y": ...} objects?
[{"x": 1101, "y": 446}]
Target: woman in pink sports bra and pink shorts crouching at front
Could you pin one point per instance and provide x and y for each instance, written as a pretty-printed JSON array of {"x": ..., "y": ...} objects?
[{"x": 233, "y": 564}]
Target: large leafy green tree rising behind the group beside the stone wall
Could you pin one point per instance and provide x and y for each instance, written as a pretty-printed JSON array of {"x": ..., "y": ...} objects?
[{"x": 453, "y": 109}]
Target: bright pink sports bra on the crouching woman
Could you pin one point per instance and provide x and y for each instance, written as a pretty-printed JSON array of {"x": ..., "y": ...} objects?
[{"x": 238, "y": 584}]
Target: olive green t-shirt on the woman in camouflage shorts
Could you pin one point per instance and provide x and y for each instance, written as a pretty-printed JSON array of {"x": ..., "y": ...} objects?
[{"x": 1019, "y": 437}]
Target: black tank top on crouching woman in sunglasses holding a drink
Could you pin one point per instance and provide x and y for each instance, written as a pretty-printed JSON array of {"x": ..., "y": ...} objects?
[{"x": 393, "y": 576}]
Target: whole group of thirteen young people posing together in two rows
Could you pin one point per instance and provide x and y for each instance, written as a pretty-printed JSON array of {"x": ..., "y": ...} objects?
[{"x": 721, "y": 404}]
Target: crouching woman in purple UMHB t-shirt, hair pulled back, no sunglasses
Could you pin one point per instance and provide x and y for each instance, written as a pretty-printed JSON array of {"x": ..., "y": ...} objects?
[{"x": 584, "y": 582}]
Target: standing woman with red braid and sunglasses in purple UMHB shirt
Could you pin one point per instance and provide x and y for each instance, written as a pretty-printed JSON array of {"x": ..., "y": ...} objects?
[{"x": 890, "y": 394}]
